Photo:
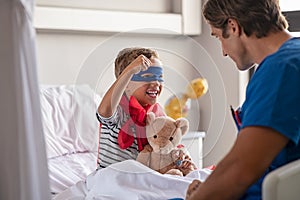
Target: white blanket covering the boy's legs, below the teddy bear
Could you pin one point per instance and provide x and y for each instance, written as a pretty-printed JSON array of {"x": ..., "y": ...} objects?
[{"x": 133, "y": 181}]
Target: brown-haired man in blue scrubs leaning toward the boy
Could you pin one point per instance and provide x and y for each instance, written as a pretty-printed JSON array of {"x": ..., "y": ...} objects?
[{"x": 254, "y": 32}]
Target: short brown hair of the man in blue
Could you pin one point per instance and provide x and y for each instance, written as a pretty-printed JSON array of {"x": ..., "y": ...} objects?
[{"x": 259, "y": 17}]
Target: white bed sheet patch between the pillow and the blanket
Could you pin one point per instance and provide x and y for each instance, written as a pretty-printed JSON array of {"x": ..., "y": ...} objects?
[{"x": 67, "y": 170}]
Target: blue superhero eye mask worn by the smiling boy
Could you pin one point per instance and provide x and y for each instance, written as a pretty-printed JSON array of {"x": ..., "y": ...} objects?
[{"x": 153, "y": 73}]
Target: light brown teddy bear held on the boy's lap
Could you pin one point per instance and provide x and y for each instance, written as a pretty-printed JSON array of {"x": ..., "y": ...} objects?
[{"x": 162, "y": 154}]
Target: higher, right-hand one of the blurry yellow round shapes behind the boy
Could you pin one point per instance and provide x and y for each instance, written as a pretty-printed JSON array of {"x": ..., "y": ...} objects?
[{"x": 197, "y": 88}]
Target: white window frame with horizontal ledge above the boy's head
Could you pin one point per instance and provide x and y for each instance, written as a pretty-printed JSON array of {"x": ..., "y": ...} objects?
[{"x": 185, "y": 19}]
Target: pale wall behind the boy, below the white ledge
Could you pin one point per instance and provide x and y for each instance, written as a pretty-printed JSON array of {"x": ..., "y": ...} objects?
[{"x": 68, "y": 58}]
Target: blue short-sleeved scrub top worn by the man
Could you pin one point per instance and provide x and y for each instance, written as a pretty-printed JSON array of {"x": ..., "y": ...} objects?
[{"x": 273, "y": 100}]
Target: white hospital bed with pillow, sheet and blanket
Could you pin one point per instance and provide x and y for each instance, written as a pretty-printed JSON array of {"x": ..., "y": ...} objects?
[{"x": 71, "y": 135}]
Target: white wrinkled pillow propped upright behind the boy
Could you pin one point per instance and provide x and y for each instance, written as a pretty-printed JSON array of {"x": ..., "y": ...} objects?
[{"x": 69, "y": 119}]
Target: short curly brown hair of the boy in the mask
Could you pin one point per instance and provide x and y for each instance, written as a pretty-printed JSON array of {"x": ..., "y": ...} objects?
[{"x": 127, "y": 55}]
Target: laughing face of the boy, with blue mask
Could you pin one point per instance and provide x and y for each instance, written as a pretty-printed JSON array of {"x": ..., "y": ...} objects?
[{"x": 147, "y": 85}]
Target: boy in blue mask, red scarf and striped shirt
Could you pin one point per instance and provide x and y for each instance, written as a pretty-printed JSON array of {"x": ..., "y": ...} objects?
[{"x": 122, "y": 111}]
